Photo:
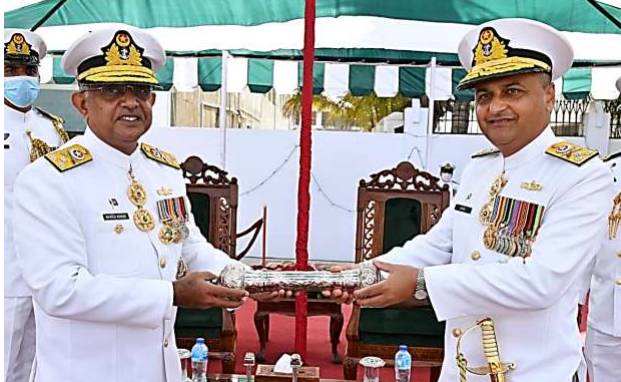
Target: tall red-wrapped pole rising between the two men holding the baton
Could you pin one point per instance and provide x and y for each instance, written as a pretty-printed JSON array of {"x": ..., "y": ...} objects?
[{"x": 301, "y": 245}]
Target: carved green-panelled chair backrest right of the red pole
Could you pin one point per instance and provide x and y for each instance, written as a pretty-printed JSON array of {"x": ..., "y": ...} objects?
[{"x": 394, "y": 206}]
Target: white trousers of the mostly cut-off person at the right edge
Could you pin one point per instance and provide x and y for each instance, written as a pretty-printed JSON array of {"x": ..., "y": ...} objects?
[{"x": 603, "y": 356}]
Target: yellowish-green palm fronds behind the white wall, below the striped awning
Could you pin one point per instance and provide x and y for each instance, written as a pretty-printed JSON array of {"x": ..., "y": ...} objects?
[{"x": 364, "y": 112}]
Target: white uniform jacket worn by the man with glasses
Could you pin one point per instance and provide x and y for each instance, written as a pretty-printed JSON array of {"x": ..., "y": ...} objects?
[{"x": 103, "y": 300}]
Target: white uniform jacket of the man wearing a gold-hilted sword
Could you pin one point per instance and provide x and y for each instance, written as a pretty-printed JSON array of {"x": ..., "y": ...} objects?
[{"x": 533, "y": 302}]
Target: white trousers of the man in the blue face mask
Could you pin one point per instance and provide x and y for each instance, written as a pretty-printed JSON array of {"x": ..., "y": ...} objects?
[{"x": 19, "y": 338}]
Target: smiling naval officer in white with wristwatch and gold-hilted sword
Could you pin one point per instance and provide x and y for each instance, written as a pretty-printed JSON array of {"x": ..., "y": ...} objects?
[{"x": 511, "y": 252}]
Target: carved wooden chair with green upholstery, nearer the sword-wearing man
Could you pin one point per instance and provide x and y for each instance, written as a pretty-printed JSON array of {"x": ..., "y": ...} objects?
[{"x": 394, "y": 206}]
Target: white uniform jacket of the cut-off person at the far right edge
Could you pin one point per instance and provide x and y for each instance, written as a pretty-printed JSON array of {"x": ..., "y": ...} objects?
[{"x": 605, "y": 297}]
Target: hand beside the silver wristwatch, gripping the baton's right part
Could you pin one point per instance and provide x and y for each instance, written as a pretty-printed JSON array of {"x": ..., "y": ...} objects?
[{"x": 399, "y": 287}]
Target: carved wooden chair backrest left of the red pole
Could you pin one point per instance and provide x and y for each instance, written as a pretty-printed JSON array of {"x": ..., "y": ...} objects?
[{"x": 213, "y": 198}]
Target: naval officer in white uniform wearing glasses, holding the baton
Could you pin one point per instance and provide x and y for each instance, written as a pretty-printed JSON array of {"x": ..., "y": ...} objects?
[{"x": 101, "y": 249}]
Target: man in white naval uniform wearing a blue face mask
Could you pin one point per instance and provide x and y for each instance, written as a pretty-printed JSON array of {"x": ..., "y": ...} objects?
[{"x": 29, "y": 133}]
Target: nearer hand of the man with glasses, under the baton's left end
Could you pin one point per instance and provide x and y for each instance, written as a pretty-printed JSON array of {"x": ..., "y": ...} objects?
[{"x": 196, "y": 291}]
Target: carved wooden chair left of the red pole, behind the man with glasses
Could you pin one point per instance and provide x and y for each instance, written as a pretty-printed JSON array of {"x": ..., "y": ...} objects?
[{"x": 213, "y": 199}]
